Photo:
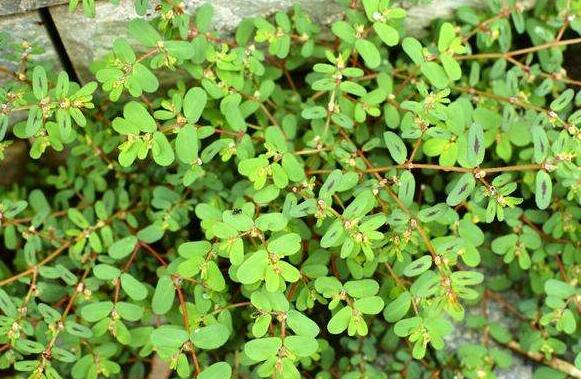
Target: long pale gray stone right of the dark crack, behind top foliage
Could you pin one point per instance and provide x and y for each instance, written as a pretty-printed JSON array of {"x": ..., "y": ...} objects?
[{"x": 88, "y": 39}]
